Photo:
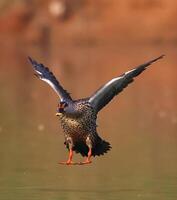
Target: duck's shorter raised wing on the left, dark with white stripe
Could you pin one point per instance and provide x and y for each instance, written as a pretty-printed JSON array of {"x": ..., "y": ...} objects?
[{"x": 44, "y": 74}]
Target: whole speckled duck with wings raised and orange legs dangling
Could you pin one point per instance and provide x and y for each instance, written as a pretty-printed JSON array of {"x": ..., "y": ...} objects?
[{"x": 78, "y": 117}]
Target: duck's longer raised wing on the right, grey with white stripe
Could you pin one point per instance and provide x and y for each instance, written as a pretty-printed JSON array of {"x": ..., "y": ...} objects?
[{"x": 106, "y": 93}]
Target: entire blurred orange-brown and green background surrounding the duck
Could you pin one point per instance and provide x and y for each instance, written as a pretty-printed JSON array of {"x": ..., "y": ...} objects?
[{"x": 86, "y": 43}]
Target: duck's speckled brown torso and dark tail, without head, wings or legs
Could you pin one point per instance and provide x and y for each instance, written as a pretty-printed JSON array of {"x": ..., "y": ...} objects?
[{"x": 81, "y": 127}]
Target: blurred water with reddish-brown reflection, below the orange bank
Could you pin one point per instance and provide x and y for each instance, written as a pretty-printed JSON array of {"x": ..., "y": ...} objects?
[{"x": 140, "y": 124}]
